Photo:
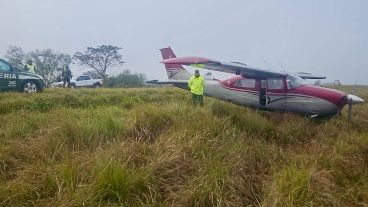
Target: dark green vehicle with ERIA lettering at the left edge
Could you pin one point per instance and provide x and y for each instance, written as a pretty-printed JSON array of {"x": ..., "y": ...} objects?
[{"x": 12, "y": 78}]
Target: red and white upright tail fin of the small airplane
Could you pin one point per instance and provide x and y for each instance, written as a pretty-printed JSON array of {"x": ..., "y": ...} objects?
[{"x": 174, "y": 71}]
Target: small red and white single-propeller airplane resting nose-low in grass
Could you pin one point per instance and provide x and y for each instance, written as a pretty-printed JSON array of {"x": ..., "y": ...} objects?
[{"x": 259, "y": 88}]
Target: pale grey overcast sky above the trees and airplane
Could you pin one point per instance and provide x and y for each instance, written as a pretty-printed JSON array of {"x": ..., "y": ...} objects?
[{"x": 327, "y": 37}]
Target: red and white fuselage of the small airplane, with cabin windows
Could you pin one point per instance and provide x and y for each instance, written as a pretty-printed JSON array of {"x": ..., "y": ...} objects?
[{"x": 275, "y": 95}]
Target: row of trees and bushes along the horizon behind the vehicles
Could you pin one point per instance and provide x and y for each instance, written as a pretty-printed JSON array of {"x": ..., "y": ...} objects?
[{"x": 50, "y": 64}]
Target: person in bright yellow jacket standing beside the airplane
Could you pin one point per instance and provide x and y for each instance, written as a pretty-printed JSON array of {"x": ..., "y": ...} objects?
[{"x": 196, "y": 85}]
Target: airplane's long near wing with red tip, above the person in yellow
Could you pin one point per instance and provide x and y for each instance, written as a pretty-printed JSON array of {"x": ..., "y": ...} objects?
[{"x": 233, "y": 67}]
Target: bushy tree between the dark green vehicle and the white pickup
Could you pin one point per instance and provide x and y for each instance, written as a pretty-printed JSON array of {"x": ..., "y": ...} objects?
[{"x": 49, "y": 63}]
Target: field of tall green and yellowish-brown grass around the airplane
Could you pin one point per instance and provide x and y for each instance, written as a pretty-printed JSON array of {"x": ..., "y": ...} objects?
[{"x": 150, "y": 147}]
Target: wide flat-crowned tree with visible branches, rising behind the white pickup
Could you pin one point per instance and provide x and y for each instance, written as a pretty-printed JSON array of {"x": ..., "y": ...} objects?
[{"x": 100, "y": 58}]
